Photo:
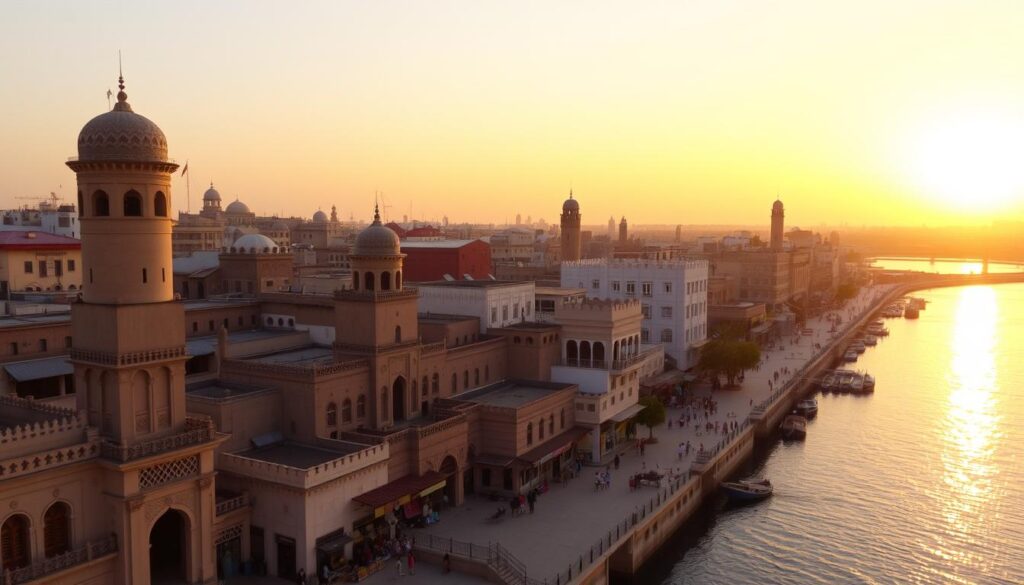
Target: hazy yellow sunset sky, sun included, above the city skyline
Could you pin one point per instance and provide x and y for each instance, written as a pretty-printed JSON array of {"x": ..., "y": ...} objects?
[{"x": 681, "y": 112}]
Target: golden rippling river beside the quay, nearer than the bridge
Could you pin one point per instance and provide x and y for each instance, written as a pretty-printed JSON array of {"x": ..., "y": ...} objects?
[{"x": 921, "y": 483}]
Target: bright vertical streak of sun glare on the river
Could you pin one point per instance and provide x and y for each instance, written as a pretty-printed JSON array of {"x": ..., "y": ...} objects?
[{"x": 970, "y": 429}]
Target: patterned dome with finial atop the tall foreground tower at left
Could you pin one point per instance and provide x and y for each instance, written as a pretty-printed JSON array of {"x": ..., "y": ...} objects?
[{"x": 122, "y": 136}]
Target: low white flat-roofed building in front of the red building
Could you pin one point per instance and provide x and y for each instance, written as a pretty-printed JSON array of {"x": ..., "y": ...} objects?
[{"x": 497, "y": 304}]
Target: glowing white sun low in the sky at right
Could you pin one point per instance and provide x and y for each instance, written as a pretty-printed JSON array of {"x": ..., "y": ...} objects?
[{"x": 971, "y": 162}]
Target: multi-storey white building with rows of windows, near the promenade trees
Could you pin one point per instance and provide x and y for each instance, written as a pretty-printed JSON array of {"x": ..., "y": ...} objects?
[{"x": 673, "y": 297}]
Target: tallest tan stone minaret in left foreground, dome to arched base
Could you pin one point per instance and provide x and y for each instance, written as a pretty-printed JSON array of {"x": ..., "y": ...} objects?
[{"x": 129, "y": 354}]
